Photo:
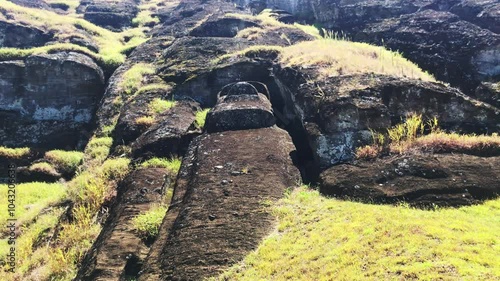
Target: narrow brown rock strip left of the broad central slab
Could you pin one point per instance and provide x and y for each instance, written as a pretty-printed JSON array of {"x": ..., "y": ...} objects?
[{"x": 119, "y": 251}]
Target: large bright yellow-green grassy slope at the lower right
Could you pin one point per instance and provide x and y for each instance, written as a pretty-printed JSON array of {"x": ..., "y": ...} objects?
[{"x": 327, "y": 239}]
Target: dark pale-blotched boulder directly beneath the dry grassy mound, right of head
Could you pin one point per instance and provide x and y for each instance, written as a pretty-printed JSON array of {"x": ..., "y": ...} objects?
[{"x": 341, "y": 120}]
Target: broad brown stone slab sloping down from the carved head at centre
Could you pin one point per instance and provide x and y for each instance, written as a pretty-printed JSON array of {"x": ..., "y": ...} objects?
[{"x": 218, "y": 212}]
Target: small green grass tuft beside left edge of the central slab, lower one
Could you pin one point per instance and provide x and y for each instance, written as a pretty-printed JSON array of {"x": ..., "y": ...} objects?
[{"x": 148, "y": 223}]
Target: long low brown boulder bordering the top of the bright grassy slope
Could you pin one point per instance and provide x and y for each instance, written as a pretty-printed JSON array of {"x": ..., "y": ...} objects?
[{"x": 448, "y": 180}]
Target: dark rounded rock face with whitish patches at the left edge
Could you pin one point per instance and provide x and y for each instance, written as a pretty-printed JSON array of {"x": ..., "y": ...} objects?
[{"x": 47, "y": 100}]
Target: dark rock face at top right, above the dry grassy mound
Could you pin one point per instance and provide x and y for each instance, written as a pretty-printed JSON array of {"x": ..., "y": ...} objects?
[{"x": 455, "y": 40}]
